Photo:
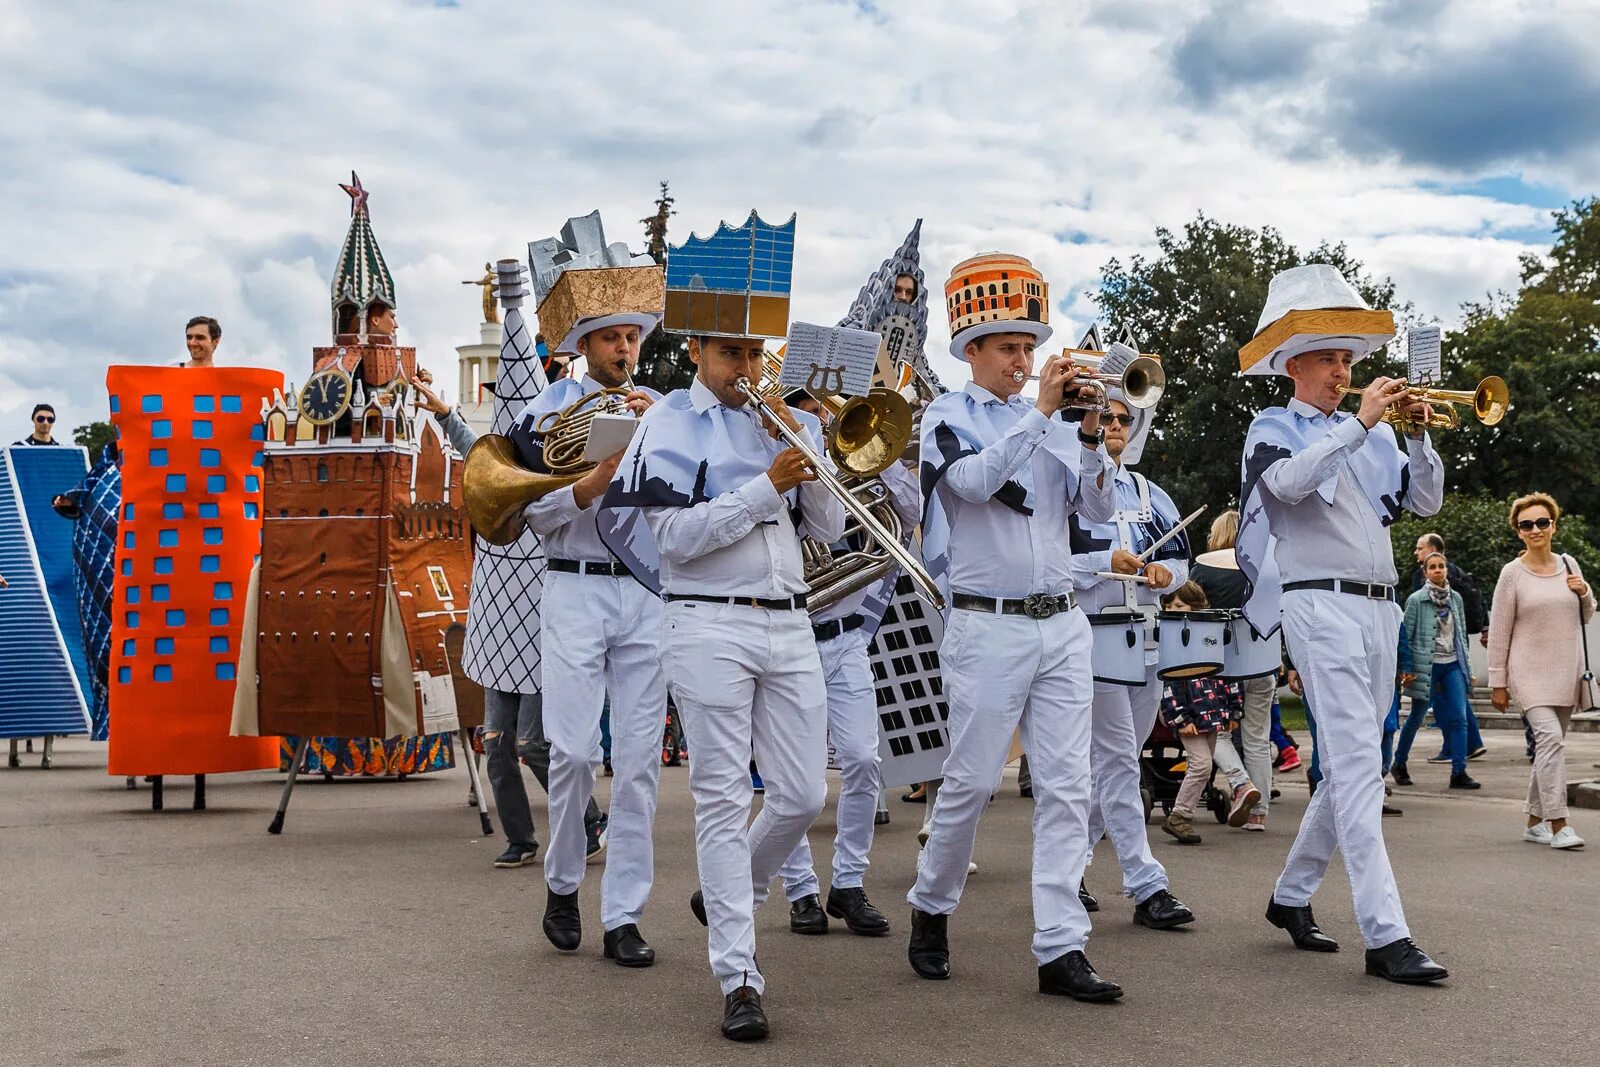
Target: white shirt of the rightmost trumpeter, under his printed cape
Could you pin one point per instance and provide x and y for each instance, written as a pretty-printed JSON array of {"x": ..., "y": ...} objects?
[{"x": 1343, "y": 540}]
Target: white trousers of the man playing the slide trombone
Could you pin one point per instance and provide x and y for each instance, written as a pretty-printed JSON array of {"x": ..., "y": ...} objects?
[{"x": 746, "y": 681}]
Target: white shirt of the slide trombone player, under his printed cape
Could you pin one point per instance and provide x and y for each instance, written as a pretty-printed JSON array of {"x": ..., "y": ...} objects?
[{"x": 743, "y": 541}]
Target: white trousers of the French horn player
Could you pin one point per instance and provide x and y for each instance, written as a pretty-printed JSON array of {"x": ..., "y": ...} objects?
[{"x": 601, "y": 636}]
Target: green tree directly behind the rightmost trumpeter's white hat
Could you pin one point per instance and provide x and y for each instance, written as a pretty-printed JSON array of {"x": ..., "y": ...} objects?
[{"x": 1196, "y": 303}]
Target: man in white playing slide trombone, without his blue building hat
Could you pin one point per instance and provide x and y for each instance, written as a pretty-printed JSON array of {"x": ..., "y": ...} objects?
[{"x": 727, "y": 503}]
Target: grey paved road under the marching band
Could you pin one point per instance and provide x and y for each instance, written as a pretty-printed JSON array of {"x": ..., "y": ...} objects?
[{"x": 375, "y": 932}]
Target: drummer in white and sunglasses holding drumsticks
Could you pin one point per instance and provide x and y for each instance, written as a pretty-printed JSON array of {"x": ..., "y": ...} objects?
[{"x": 1124, "y": 716}]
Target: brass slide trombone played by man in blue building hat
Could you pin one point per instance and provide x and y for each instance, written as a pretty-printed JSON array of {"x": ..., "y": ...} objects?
[{"x": 863, "y": 457}]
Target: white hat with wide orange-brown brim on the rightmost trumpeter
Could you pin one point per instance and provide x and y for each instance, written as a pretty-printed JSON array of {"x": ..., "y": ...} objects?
[{"x": 1313, "y": 308}]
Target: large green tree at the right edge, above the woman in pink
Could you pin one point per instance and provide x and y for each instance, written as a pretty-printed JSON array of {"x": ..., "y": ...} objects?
[{"x": 1545, "y": 342}]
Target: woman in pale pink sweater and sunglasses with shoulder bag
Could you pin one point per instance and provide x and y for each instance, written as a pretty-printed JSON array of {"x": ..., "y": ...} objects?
[{"x": 1535, "y": 658}]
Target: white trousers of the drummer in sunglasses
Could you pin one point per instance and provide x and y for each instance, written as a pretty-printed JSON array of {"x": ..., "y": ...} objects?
[{"x": 1124, "y": 717}]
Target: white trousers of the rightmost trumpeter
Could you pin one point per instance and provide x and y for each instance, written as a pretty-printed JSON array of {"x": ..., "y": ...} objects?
[{"x": 1345, "y": 649}]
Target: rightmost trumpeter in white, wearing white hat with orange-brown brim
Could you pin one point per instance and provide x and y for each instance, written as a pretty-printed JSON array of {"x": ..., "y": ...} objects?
[{"x": 1321, "y": 487}]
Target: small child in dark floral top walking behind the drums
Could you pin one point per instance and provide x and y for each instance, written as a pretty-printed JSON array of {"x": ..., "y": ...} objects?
[{"x": 1199, "y": 709}]
